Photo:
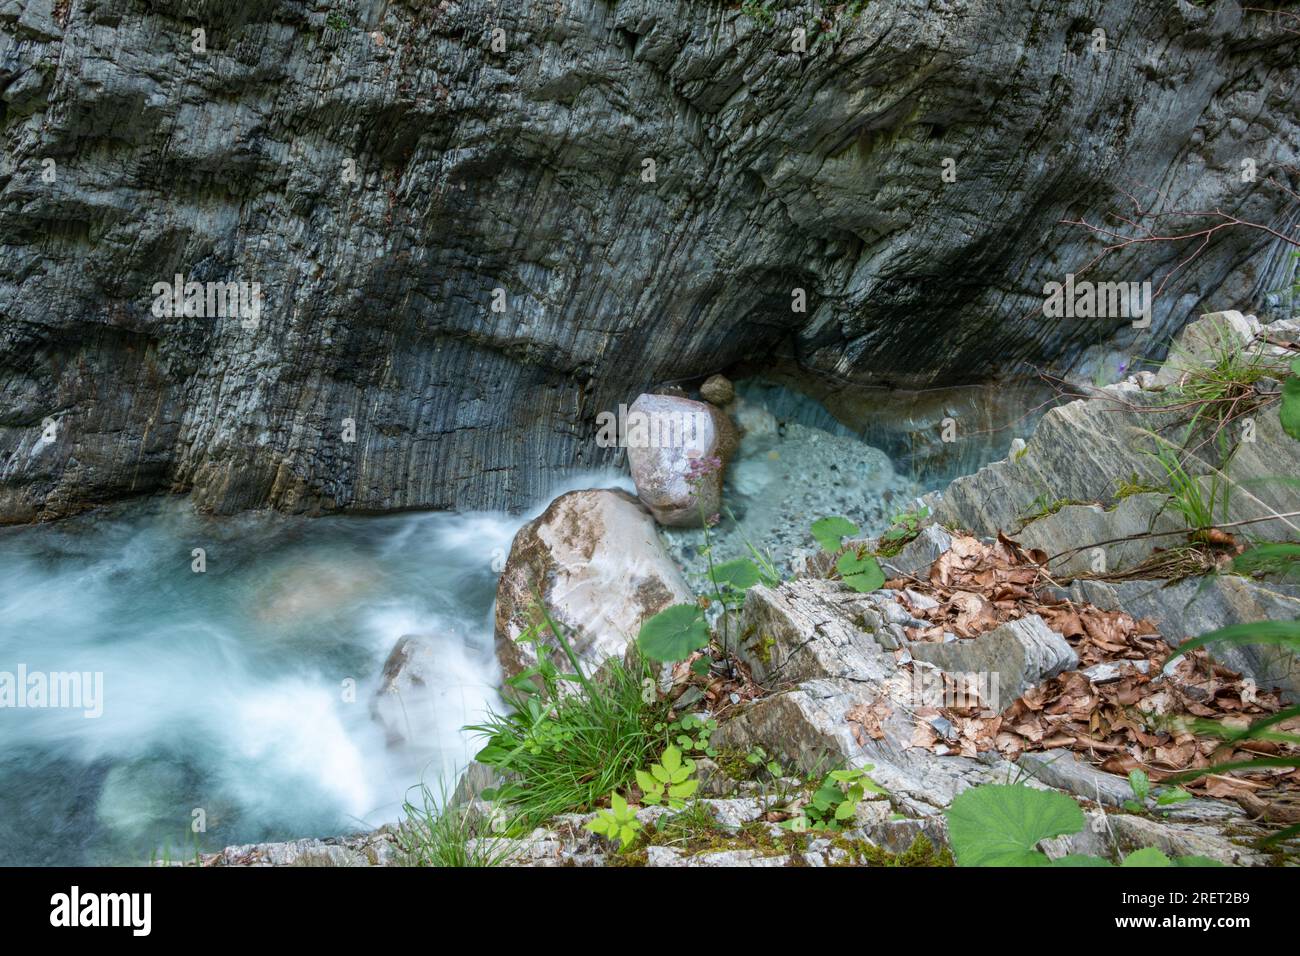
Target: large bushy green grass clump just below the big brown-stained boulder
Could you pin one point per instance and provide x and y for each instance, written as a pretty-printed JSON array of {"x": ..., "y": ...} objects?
[{"x": 567, "y": 742}]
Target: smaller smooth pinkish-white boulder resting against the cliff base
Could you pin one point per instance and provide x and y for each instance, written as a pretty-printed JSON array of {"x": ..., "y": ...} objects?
[{"x": 678, "y": 452}]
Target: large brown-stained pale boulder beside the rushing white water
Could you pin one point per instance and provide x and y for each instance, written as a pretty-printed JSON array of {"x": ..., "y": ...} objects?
[{"x": 596, "y": 563}]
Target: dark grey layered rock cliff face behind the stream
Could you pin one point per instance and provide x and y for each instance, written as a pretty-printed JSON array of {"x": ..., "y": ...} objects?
[{"x": 523, "y": 170}]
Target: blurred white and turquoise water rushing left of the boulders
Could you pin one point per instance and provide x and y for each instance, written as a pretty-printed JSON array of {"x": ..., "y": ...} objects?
[{"x": 228, "y": 691}]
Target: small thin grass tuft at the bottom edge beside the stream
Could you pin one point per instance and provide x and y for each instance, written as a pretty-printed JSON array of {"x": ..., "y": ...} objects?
[{"x": 435, "y": 833}]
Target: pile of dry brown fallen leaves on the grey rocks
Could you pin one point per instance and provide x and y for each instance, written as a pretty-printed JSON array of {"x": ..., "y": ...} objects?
[{"x": 1125, "y": 716}]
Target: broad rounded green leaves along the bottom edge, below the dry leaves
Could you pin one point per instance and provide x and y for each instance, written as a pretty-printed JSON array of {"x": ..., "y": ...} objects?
[{"x": 998, "y": 825}]
